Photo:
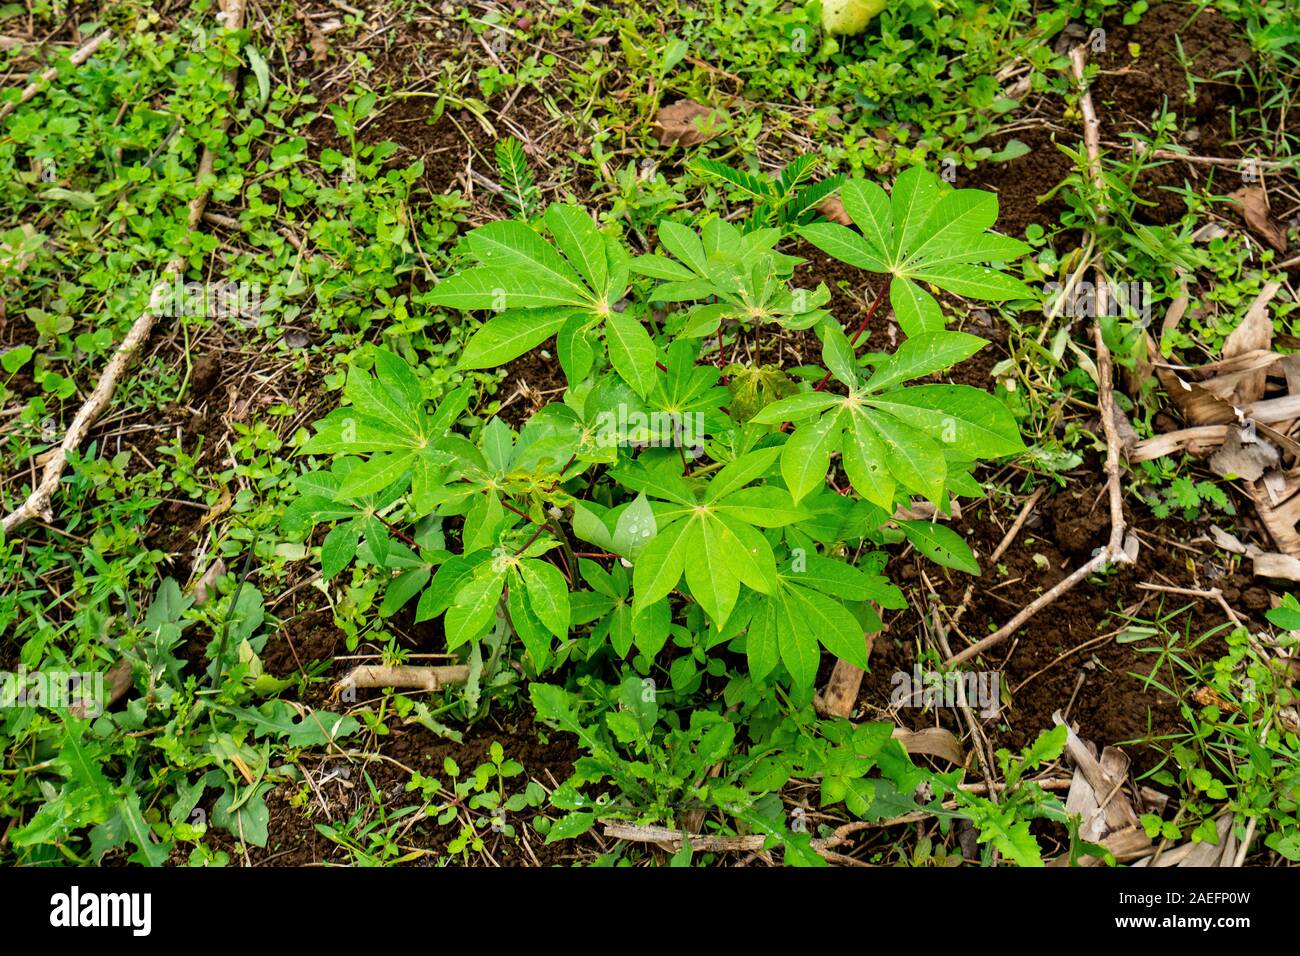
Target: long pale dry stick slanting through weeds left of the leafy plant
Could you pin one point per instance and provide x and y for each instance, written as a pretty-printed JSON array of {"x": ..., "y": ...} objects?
[{"x": 38, "y": 503}]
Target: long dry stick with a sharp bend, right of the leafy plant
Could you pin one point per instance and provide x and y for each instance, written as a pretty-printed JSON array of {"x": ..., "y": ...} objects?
[{"x": 1115, "y": 551}]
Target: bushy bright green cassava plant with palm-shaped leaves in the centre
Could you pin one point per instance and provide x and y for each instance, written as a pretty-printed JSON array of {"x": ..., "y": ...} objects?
[{"x": 657, "y": 503}]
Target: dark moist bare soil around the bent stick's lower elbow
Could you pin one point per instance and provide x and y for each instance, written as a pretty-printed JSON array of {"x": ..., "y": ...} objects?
[{"x": 1111, "y": 707}]
